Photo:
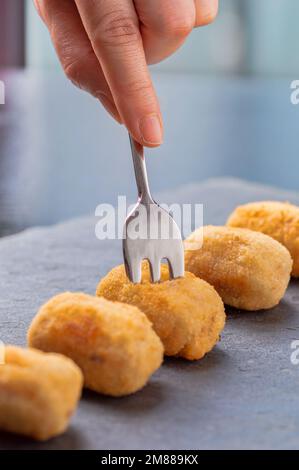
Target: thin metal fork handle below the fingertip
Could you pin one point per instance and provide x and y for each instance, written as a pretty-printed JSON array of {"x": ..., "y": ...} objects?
[{"x": 144, "y": 193}]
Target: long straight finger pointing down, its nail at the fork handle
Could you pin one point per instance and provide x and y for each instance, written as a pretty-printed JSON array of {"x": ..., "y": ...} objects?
[{"x": 113, "y": 29}]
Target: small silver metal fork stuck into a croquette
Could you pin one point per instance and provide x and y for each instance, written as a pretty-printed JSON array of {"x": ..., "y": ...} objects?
[{"x": 158, "y": 236}]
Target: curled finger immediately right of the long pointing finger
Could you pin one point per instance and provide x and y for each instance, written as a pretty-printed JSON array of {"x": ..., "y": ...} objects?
[{"x": 164, "y": 26}]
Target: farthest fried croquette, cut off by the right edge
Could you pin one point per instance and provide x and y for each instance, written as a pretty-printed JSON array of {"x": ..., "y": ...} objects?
[{"x": 279, "y": 220}]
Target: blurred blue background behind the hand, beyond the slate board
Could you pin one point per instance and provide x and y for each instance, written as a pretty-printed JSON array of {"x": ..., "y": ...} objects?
[{"x": 225, "y": 99}]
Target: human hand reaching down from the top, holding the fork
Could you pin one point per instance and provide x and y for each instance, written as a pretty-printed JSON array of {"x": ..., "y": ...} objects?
[{"x": 104, "y": 47}]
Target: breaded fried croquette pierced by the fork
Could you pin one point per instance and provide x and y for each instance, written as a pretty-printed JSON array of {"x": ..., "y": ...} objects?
[{"x": 187, "y": 313}]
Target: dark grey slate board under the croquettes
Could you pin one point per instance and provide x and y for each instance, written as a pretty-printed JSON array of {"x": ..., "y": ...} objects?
[{"x": 244, "y": 394}]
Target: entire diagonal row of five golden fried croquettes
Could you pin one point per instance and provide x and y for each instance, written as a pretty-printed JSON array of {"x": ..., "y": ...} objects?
[{"x": 113, "y": 342}]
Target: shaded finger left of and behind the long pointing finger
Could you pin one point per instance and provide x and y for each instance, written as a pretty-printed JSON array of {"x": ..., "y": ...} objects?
[{"x": 74, "y": 49}]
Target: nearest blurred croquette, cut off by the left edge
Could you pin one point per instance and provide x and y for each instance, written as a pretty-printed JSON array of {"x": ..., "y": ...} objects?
[{"x": 38, "y": 392}]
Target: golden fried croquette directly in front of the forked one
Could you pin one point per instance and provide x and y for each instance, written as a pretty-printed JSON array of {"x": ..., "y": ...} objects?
[{"x": 113, "y": 344}]
